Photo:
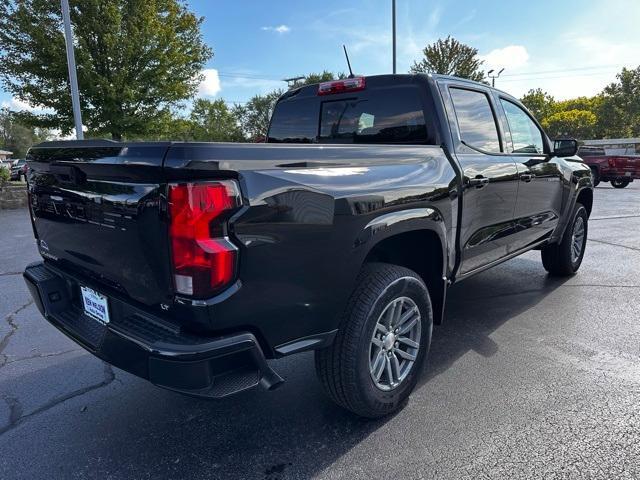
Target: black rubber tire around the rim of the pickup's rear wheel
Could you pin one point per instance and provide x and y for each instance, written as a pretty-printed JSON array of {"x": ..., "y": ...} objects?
[{"x": 344, "y": 367}]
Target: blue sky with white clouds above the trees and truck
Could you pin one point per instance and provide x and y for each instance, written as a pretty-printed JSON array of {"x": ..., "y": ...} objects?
[{"x": 568, "y": 47}]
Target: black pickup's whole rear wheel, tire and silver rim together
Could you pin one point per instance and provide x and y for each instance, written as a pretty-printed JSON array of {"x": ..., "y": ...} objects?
[{"x": 383, "y": 340}]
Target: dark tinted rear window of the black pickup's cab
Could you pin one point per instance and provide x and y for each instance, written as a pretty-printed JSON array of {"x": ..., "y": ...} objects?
[{"x": 391, "y": 116}]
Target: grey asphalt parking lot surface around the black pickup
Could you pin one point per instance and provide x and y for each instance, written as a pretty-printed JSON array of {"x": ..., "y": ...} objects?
[{"x": 529, "y": 377}]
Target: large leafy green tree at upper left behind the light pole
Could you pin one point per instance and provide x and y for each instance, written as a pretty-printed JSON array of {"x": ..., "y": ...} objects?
[{"x": 135, "y": 59}]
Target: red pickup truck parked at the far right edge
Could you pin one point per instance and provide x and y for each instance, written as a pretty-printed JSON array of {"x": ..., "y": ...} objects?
[{"x": 620, "y": 170}]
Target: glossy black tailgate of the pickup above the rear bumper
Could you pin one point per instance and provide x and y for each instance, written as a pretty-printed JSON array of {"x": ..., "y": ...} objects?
[{"x": 97, "y": 210}]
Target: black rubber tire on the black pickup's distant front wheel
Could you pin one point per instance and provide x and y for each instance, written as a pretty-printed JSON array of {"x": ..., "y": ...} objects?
[{"x": 557, "y": 258}]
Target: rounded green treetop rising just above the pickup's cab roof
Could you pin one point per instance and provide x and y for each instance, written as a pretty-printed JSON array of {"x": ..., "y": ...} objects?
[{"x": 450, "y": 57}]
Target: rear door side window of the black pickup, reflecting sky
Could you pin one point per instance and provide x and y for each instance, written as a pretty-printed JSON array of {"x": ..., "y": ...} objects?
[{"x": 476, "y": 122}]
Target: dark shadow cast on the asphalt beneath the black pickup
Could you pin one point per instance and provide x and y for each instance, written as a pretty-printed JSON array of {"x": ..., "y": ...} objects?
[{"x": 131, "y": 429}]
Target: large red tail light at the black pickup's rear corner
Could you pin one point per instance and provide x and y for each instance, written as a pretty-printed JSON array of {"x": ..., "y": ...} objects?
[{"x": 204, "y": 260}]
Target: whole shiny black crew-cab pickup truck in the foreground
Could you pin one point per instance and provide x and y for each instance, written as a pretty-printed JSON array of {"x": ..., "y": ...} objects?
[{"x": 192, "y": 264}]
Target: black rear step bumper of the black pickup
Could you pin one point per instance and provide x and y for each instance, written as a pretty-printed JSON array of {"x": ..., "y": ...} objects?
[{"x": 150, "y": 347}]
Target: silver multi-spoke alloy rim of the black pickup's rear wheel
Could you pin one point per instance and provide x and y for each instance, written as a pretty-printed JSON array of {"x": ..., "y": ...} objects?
[{"x": 395, "y": 343}]
